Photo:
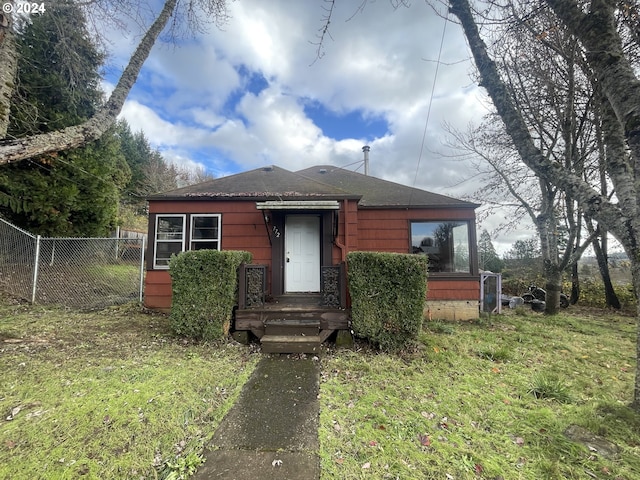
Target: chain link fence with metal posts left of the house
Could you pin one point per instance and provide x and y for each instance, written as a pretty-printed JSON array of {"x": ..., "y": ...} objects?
[{"x": 85, "y": 273}]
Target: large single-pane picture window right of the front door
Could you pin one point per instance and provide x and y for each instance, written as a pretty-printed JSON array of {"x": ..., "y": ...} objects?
[{"x": 446, "y": 243}]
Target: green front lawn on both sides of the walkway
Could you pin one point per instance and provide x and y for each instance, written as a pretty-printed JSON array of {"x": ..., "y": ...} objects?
[{"x": 111, "y": 394}]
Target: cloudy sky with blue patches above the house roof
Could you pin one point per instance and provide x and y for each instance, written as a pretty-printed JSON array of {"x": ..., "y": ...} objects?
[{"x": 255, "y": 93}]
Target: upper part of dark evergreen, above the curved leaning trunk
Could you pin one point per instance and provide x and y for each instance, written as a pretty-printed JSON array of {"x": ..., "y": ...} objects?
[{"x": 58, "y": 72}]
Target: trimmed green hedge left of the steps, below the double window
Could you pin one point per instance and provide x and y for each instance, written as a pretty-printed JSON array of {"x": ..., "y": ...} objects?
[{"x": 204, "y": 284}]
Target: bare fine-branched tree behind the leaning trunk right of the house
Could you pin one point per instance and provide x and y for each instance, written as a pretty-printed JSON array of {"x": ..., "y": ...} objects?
[{"x": 539, "y": 64}]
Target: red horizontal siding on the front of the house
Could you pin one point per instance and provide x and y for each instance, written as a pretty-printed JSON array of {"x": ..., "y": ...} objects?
[{"x": 385, "y": 230}]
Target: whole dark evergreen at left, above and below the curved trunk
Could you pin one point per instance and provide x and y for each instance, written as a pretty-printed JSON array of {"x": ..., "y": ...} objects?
[{"x": 74, "y": 193}]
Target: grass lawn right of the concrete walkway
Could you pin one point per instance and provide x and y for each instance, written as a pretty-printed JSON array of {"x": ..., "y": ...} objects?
[{"x": 491, "y": 401}]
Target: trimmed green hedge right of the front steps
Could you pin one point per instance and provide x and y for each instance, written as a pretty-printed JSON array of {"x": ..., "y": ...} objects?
[{"x": 388, "y": 292}]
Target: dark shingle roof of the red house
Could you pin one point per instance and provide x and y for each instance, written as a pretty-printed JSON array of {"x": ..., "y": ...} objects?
[{"x": 319, "y": 182}]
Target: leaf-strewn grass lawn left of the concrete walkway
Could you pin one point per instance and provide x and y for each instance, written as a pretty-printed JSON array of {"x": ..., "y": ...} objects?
[{"x": 108, "y": 394}]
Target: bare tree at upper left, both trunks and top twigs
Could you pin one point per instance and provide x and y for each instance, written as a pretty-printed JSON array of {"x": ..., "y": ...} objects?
[{"x": 177, "y": 14}]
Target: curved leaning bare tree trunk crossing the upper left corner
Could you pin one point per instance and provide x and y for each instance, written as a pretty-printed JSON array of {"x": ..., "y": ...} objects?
[{"x": 95, "y": 127}]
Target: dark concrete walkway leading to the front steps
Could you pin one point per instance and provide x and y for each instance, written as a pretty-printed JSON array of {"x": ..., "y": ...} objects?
[{"x": 272, "y": 430}]
